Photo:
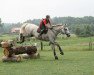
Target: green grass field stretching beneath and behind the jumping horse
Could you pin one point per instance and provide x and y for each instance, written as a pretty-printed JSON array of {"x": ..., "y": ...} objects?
[{"x": 78, "y": 60}]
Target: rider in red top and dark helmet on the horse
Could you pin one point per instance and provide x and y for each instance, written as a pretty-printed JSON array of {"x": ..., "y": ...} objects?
[{"x": 44, "y": 25}]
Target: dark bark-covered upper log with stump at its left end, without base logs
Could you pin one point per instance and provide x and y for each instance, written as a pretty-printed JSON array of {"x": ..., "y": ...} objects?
[{"x": 10, "y": 51}]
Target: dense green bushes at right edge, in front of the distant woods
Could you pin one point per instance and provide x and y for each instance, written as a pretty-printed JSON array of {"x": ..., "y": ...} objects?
[{"x": 84, "y": 30}]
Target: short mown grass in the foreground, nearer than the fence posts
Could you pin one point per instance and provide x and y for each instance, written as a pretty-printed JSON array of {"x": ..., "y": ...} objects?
[{"x": 72, "y": 63}]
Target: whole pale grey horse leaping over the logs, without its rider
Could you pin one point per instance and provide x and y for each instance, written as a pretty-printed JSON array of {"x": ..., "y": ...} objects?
[{"x": 28, "y": 29}]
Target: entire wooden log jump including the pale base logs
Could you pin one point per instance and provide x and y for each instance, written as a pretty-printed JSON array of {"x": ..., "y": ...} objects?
[{"x": 12, "y": 53}]
